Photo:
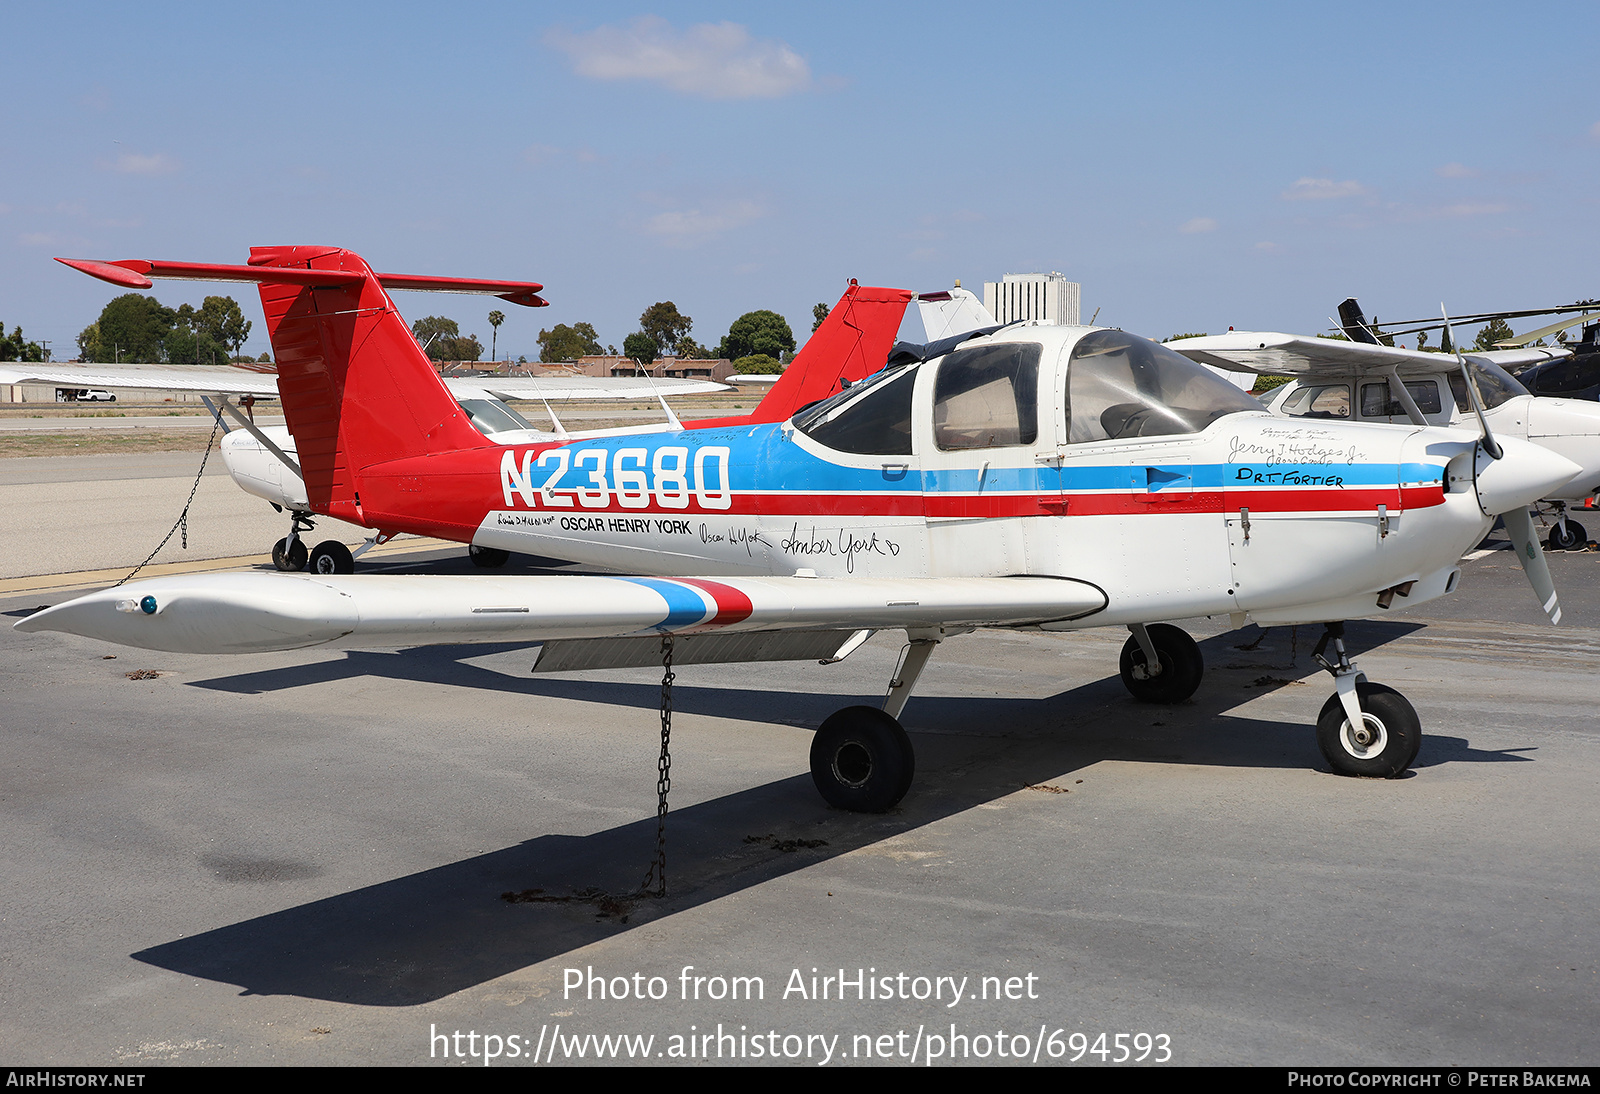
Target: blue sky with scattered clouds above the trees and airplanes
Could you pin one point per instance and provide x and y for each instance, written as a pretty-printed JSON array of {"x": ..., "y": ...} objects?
[{"x": 1191, "y": 166}]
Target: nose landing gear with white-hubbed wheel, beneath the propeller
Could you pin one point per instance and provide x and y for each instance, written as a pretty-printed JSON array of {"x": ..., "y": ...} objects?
[{"x": 1364, "y": 730}]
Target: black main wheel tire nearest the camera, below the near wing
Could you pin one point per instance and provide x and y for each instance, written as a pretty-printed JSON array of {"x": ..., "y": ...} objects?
[{"x": 862, "y": 761}]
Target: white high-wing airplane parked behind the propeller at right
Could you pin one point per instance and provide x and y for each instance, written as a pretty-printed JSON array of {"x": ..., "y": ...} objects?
[{"x": 1364, "y": 381}]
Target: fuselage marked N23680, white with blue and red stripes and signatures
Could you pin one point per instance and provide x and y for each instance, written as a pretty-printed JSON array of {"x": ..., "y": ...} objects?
[{"x": 1249, "y": 514}]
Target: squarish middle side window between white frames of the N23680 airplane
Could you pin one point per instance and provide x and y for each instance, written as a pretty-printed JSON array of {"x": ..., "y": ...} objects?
[{"x": 988, "y": 397}]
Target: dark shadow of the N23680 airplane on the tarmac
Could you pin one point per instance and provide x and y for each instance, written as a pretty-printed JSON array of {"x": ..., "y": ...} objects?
[{"x": 430, "y": 935}]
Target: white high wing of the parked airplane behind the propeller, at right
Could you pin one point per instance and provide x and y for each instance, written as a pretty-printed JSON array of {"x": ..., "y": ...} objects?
[{"x": 1300, "y": 356}]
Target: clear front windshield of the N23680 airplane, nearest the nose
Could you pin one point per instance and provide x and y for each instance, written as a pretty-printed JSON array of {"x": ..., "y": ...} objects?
[{"x": 1121, "y": 386}]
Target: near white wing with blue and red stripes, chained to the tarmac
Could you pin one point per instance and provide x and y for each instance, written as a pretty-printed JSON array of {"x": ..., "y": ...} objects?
[{"x": 260, "y": 612}]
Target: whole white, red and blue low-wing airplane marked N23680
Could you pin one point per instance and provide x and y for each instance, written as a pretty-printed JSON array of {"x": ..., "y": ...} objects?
[{"x": 1050, "y": 477}]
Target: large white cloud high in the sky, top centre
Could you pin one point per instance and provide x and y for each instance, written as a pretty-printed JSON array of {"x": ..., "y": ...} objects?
[{"x": 711, "y": 62}]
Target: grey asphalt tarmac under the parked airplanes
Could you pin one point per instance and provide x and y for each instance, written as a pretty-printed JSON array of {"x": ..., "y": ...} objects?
[{"x": 302, "y": 858}]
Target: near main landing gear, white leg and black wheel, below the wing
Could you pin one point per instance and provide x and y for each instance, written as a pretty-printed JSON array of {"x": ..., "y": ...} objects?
[{"x": 862, "y": 757}]
